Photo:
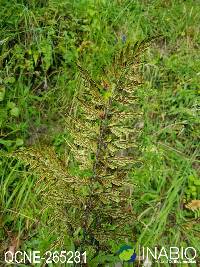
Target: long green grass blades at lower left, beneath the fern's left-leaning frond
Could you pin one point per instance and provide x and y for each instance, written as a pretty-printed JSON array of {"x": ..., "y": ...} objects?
[{"x": 18, "y": 202}]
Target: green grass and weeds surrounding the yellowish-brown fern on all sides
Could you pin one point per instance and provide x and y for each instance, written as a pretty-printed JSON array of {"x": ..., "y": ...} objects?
[{"x": 39, "y": 45}]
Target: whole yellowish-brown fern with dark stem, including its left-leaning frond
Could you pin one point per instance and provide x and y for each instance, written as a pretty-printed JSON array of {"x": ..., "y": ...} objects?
[{"x": 103, "y": 144}]
